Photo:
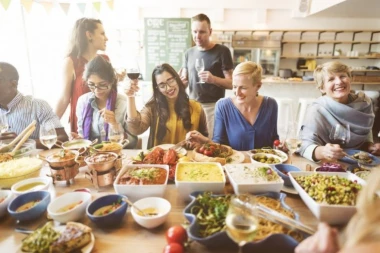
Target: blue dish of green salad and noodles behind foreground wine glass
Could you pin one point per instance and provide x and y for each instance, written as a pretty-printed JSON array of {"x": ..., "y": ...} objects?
[{"x": 210, "y": 230}]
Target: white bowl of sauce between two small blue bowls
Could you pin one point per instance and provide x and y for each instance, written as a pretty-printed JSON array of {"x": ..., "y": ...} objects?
[{"x": 82, "y": 198}]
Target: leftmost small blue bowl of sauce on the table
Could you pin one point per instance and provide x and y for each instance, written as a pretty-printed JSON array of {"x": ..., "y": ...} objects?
[{"x": 34, "y": 212}]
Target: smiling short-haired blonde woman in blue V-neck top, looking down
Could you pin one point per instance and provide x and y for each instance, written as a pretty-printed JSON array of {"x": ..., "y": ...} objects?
[{"x": 247, "y": 120}]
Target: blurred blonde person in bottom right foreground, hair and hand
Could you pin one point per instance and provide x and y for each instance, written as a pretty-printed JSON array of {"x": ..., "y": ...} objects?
[{"x": 363, "y": 231}]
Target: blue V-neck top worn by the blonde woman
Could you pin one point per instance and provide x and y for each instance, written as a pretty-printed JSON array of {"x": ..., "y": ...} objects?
[{"x": 232, "y": 129}]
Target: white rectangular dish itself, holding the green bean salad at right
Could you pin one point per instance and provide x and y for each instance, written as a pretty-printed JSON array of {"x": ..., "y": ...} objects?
[{"x": 332, "y": 214}]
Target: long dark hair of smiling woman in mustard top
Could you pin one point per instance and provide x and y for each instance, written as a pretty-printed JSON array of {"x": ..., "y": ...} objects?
[{"x": 182, "y": 105}]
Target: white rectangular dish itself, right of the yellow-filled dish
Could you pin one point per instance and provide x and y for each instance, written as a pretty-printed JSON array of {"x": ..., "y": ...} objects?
[{"x": 245, "y": 187}]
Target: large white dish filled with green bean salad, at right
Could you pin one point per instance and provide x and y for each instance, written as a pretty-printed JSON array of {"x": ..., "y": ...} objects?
[{"x": 330, "y": 196}]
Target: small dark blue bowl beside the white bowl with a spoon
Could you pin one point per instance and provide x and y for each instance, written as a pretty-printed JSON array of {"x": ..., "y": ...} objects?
[{"x": 112, "y": 219}]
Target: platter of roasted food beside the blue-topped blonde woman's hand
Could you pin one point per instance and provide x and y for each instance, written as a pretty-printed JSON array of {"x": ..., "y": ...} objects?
[{"x": 212, "y": 152}]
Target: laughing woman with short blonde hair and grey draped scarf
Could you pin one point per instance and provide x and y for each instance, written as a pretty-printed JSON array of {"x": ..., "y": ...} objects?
[{"x": 337, "y": 105}]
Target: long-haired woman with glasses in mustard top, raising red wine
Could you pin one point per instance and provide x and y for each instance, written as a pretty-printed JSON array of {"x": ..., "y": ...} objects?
[{"x": 169, "y": 114}]
